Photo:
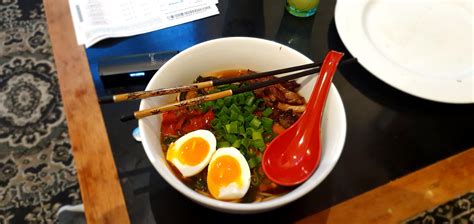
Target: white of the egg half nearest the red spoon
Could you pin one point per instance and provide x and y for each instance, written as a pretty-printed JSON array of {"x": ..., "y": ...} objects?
[{"x": 233, "y": 190}]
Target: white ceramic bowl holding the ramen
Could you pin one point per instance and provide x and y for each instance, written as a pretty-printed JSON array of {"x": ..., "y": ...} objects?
[{"x": 240, "y": 53}]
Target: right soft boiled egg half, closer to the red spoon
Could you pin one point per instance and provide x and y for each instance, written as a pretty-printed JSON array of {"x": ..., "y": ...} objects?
[{"x": 228, "y": 174}]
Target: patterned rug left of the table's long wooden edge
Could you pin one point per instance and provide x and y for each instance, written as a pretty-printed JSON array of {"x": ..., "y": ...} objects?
[{"x": 37, "y": 175}]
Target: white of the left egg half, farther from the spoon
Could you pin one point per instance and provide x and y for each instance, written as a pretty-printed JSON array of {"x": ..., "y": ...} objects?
[{"x": 185, "y": 169}]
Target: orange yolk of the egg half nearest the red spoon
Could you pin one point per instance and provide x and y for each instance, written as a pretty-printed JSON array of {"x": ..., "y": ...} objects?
[{"x": 223, "y": 171}]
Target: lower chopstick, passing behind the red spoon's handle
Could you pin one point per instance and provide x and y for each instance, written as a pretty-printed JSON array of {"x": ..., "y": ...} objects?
[{"x": 222, "y": 94}]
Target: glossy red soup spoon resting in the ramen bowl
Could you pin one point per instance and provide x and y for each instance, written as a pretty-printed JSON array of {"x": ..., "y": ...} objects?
[{"x": 293, "y": 155}]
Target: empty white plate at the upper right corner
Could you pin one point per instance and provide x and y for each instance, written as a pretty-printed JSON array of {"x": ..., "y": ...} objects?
[{"x": 422, "y": 47}]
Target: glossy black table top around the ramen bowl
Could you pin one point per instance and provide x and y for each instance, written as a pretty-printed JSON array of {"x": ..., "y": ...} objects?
[{"x": 389, "y": 133}]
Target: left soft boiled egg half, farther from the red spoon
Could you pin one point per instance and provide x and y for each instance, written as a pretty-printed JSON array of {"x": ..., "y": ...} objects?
[{"x": 191, "y": 153}]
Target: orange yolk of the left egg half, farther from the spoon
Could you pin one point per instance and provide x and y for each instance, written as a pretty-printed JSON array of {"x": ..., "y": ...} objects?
[{"x": 192, "y": 152}]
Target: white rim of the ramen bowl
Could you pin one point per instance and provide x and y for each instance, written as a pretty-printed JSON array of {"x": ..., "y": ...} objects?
[{"x": 294, "y": 194}]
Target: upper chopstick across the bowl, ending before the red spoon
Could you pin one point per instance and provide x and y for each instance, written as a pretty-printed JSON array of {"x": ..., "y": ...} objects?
[{"x": 216, "y": 82}]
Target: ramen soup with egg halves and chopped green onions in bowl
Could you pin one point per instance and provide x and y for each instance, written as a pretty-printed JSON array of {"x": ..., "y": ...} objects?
[{"x": 216, "y": 148}]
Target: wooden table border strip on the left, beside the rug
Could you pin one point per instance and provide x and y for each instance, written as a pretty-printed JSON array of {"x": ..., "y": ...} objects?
[{"x": 100, "y": 188}]
